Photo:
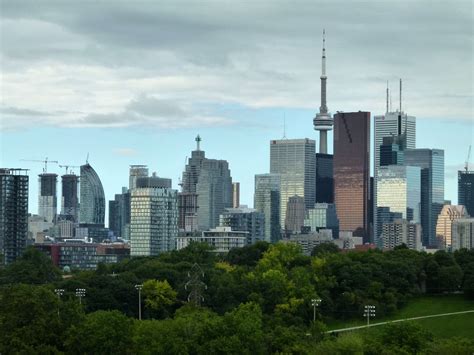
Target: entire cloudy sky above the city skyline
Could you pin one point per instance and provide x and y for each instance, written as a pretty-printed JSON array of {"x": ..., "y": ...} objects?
[{"x": 134, "y": 82}]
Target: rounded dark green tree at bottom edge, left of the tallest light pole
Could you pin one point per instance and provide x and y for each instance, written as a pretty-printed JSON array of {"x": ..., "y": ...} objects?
[{"x": 101, "y": 332}]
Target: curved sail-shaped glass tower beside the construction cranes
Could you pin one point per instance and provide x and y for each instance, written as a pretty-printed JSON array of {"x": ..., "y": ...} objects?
[{"x": 92, "y": 203}]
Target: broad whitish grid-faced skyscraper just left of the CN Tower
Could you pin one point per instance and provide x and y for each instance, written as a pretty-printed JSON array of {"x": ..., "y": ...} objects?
[{"x": 294, "y": 160}]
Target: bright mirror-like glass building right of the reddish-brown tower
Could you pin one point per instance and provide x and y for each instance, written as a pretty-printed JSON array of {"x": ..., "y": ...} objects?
[{"x": 398, "y": 194}]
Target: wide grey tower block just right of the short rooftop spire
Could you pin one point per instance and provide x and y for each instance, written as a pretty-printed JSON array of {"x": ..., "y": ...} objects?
[{"x": 214, "y": 192}]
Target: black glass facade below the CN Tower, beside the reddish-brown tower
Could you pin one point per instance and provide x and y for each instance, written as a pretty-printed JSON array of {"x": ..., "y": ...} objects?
[{"x": 324, "y": 178}]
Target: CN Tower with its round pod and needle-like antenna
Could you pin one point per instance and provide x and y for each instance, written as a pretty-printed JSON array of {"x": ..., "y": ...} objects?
[{"x": 323, "y": 121}]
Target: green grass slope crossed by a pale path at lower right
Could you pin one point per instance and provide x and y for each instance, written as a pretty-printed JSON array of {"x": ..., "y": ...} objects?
[{"x": 447, "y": 326}]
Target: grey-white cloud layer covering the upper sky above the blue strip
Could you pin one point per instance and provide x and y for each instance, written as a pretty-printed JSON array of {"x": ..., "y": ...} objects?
[{"x": 168, "y": 64}]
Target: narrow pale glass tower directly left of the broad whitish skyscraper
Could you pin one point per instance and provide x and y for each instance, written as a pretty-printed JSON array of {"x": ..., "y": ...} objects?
[{"x": 267, "y": 200}]
